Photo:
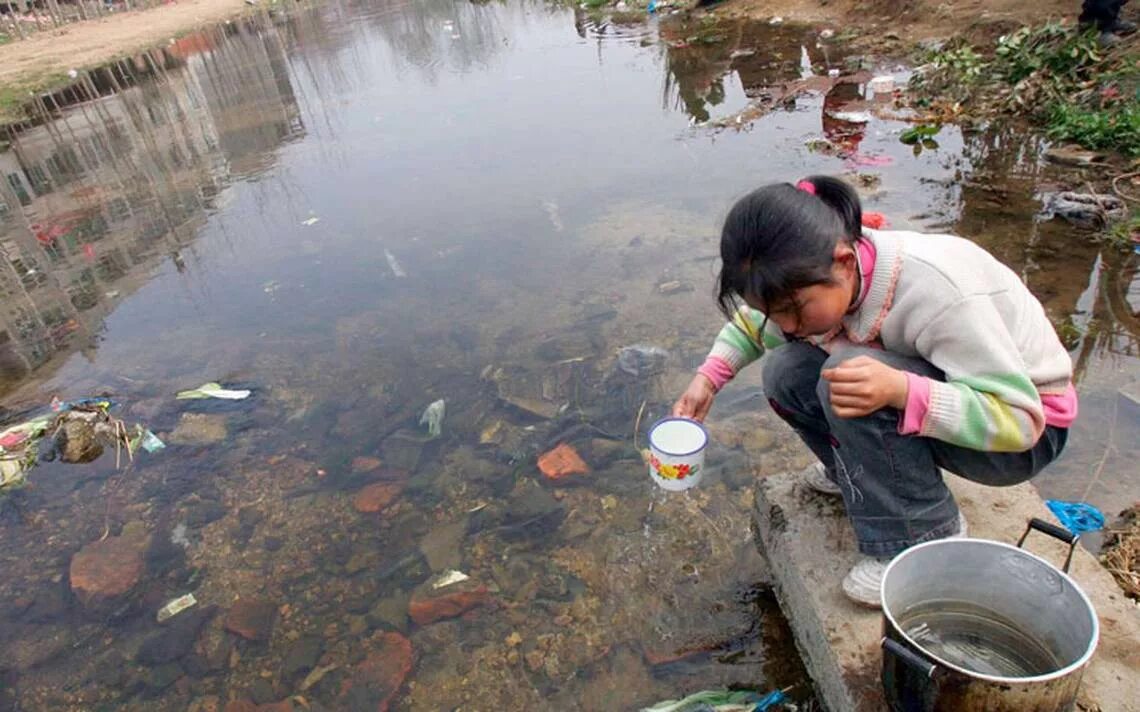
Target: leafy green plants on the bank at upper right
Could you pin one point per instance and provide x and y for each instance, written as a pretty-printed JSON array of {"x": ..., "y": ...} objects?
[{"x": 1062, "y": 79}]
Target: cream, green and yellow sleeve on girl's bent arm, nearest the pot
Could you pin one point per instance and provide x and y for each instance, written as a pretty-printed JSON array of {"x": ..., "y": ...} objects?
[{"x": 988, "y": 402}]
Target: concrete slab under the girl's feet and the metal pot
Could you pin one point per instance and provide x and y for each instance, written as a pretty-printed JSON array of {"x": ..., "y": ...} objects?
[{"x": 811, "y": 546}]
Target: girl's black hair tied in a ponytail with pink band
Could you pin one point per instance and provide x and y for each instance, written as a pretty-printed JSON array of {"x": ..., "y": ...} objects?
[{"x": 781, "y": 239}]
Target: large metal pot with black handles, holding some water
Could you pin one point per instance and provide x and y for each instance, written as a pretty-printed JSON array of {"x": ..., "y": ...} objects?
[{"x": 972, "y": 626}]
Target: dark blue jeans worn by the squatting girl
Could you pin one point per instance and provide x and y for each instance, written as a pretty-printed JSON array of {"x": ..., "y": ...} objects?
[{"x": 892, "y": 484}]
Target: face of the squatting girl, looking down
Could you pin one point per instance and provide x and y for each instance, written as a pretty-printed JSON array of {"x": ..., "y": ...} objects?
[{"x": 816, "y": 310}]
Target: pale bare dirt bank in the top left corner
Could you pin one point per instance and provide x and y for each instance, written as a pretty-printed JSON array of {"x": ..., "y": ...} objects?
[{"x": 89, "y": 44}]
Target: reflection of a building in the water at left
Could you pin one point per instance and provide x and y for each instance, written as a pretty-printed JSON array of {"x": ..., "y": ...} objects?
[{"x": 121, "y": 173}]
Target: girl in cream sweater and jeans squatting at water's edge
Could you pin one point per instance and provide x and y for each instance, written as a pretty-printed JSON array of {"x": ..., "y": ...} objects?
[{"x": 893, "y": 355}]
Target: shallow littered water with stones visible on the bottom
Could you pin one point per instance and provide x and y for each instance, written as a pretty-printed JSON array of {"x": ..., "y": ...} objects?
[{"x": 359, "y": 210}]
